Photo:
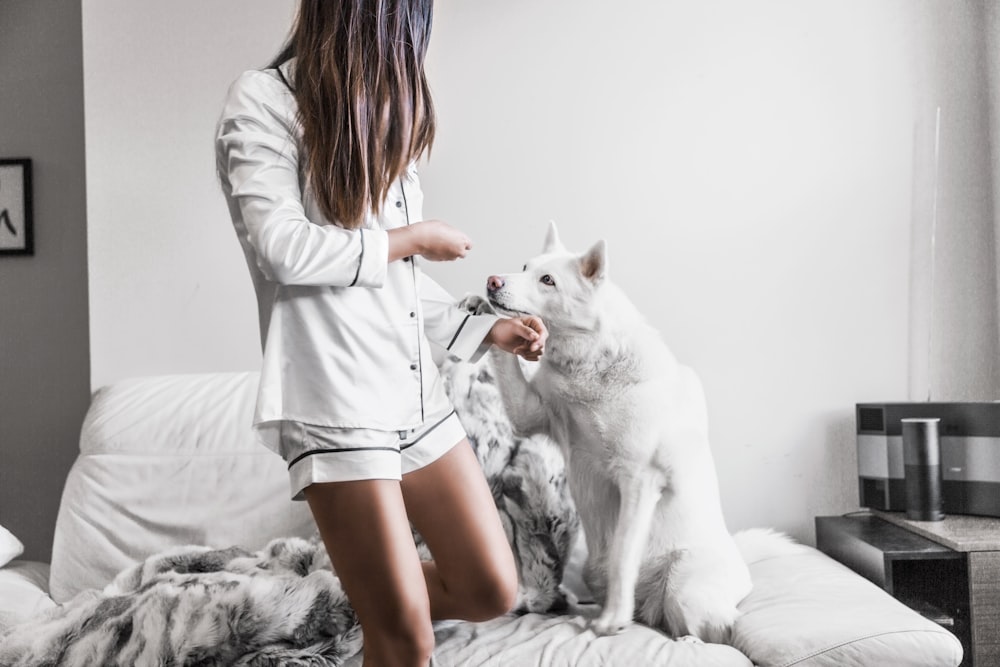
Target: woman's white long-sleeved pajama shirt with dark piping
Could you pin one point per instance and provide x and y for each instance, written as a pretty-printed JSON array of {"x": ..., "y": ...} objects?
[{"x": 344, "y": 331}]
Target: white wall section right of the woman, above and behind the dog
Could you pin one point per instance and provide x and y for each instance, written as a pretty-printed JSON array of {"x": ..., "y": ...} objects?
[{"x": 752, "y": 166}]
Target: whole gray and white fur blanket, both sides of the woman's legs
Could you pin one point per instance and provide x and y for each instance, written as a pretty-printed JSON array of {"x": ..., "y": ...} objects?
[{"x": 283, "y": 605}]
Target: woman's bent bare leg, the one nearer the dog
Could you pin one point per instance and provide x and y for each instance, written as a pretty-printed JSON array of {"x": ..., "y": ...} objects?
[{"x": 473, "y": 575}]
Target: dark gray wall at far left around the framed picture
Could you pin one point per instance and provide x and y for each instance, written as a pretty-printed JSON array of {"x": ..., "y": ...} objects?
[{"x": 44, "y": 343}]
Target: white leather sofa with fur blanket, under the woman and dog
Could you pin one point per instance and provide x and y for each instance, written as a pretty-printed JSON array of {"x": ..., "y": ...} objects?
[{"x": 159, "y": 479}]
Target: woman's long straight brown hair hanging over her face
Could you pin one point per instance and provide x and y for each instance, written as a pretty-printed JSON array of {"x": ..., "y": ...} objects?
[{"x": 364, "y": 104}]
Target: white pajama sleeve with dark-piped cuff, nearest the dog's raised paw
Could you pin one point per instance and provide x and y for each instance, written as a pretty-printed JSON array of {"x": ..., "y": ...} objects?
[{"x": 458, "y": 331}]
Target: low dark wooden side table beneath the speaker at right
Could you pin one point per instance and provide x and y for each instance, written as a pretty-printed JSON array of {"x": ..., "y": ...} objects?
[{"x": 948, "y": 570}]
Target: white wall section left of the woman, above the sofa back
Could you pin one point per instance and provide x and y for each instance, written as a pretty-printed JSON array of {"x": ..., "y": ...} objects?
[{"x": 171, "y": 289}]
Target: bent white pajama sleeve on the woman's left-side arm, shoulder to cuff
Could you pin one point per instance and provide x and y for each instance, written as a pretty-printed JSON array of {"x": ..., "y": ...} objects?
[{"x": 258, "y": 164}]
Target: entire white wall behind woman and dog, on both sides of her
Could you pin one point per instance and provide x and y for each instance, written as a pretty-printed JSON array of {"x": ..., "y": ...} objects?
[{"x": 752, "y": 166}]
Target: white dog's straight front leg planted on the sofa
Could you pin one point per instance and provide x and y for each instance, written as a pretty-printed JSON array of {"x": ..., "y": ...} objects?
[{"x": 639, "y": 497}]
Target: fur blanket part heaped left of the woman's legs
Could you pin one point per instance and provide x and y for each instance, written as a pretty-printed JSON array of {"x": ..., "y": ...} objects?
[{"x": 197, "y": 606}]
